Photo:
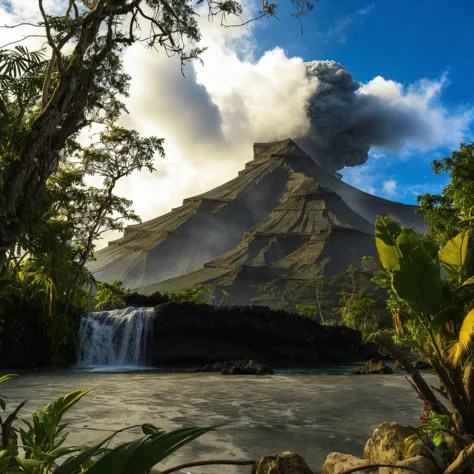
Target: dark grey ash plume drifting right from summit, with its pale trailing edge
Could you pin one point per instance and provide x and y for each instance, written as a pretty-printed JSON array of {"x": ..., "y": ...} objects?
[{"x": 348, "y": 118}]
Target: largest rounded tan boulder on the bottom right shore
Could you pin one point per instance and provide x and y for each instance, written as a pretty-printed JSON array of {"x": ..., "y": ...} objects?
[{"x": 387, "y": 445}]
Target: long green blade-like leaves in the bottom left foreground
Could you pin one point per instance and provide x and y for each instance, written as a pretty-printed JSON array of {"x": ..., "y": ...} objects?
[{"x": 43, "y": 441}]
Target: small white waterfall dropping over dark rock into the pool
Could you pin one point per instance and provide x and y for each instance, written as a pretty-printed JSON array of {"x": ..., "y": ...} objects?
[{"x": 115, "y": 338}]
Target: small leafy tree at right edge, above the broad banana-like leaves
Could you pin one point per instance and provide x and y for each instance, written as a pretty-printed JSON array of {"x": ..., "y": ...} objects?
[{"x": 452, "y": 211}]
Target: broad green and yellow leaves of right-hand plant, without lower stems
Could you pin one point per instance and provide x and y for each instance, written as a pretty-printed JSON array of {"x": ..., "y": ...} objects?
[{"x": 433, "y": 308}]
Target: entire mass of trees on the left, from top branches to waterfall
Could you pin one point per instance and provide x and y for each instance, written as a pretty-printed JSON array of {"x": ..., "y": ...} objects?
[{"x": 50, "y": 217}]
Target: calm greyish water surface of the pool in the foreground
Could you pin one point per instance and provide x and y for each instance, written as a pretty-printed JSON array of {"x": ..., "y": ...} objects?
[{"x": 311, "y": 413}]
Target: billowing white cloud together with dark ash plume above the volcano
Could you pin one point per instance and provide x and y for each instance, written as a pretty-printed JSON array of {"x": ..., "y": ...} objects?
[{"x": 211, "y": 117}]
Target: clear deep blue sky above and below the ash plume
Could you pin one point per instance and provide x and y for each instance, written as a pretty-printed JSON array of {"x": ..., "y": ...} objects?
[{"x": 401, "y": 40}]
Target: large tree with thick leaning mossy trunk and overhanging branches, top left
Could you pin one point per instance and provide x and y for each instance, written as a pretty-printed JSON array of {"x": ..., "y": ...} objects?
[{"x": 71, "y": 91}]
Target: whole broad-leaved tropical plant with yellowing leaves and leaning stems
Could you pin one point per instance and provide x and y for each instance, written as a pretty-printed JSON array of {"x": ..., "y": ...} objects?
[{"x": 438, "y": 322}]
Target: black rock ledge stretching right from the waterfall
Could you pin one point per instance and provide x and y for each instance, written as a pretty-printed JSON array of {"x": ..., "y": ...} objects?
[{"x": 185, "y": 333}]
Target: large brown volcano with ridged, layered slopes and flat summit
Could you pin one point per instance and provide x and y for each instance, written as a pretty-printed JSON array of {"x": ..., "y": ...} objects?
[{"x": 277, "y": 226}]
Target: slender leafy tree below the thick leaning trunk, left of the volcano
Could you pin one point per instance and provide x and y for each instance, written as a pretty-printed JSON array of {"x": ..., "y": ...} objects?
[{"x": 47, "y": 266}]
